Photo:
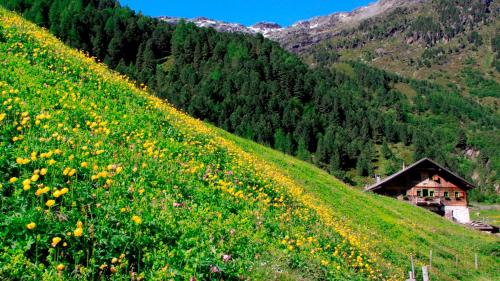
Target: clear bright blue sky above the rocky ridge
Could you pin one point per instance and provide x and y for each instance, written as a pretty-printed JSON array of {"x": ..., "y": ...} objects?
[{"x": 246, "y": 12}]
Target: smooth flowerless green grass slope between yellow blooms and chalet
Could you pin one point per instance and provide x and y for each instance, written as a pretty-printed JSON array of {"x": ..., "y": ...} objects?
[{"x": 391, "y": 228}]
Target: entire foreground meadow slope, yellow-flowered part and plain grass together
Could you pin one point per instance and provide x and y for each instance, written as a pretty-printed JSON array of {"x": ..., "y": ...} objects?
[{"x": 101, "y": 180}]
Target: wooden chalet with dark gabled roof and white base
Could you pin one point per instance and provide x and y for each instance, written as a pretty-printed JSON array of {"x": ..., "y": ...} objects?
[{"x": 431, "y": 186}]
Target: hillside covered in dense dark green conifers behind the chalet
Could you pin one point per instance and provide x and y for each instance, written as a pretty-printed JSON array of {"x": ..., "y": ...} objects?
[{"x": 341, "y": 119}]
